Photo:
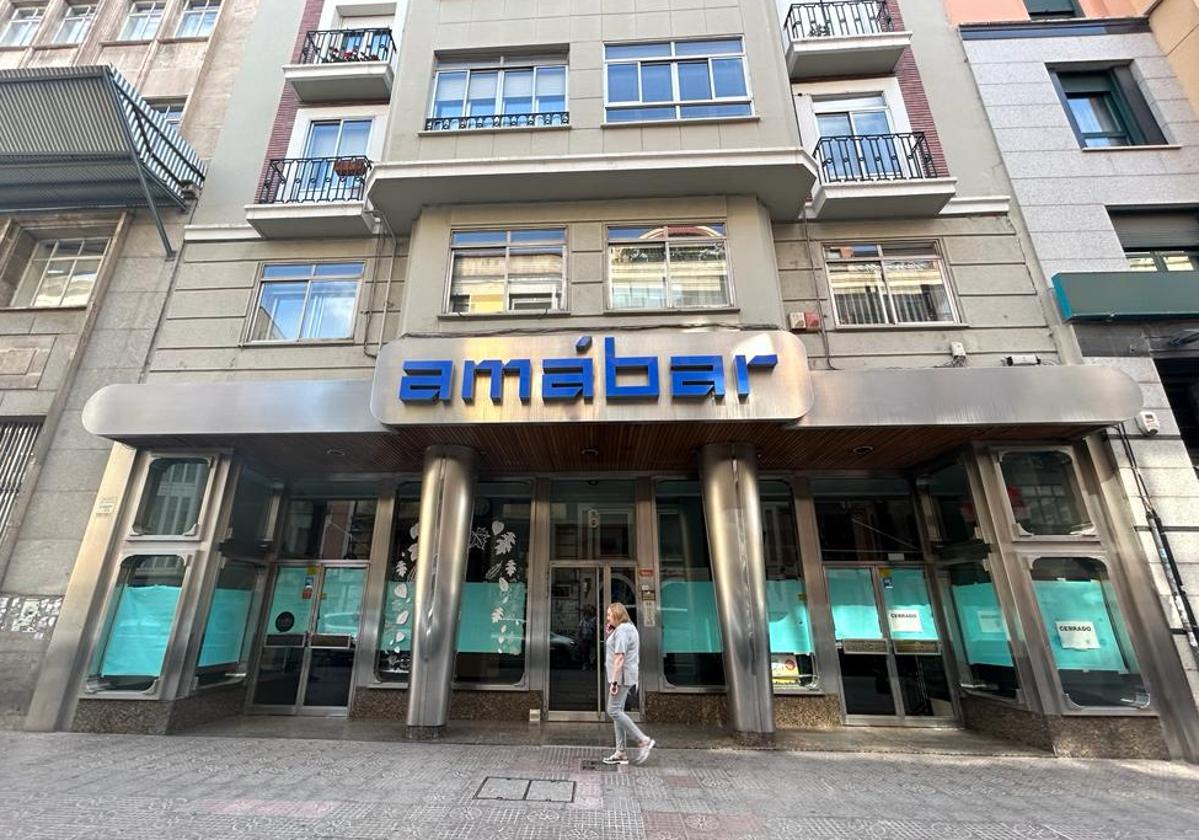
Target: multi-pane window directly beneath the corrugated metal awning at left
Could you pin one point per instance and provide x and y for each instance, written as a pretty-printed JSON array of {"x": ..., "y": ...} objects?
[{"x": 61, "y": 273}]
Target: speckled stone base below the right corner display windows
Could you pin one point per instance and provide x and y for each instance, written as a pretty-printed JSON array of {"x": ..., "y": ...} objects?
[{"x": 1076, "y": 738}]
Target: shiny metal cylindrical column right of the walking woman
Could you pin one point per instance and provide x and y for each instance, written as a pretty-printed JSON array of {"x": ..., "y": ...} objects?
[{"x": 733, "y": 510}]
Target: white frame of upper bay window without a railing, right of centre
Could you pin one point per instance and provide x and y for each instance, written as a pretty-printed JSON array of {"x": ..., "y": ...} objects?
[{"x": 677, "y": 104}]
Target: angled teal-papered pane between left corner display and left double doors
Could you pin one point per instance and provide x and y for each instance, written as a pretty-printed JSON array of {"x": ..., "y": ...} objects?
[{"x": 225, "y": 654}]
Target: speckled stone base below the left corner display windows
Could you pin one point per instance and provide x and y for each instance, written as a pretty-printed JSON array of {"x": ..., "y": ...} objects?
[{"x": 140, "y": 717}]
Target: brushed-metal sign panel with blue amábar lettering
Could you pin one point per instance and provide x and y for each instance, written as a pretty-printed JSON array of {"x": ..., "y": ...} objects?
[{"x": 611, "y": 377}]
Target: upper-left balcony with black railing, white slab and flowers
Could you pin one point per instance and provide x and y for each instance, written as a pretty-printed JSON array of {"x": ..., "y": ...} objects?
[{"x": 340, "y": 65}]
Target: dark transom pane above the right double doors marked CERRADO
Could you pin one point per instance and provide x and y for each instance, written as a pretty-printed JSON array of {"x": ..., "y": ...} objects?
[{"x": 866, "y": 519}]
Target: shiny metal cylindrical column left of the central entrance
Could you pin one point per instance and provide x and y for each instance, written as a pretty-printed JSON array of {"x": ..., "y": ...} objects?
[{"x": 448, "y": 500}]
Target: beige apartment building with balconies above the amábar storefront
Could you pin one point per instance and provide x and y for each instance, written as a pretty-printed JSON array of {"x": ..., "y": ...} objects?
[{"x": 491, "y": 315}]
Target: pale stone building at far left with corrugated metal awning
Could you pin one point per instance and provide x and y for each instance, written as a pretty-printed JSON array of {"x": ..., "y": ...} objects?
[{"x": 109, "y": 112}]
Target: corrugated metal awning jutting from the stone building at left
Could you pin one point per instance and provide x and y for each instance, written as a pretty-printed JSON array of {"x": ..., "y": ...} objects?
[{"x": 82, "y": 138}]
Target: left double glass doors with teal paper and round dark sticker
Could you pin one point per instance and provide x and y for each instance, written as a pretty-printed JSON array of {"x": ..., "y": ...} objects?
[{"x": 306, "y": 664}]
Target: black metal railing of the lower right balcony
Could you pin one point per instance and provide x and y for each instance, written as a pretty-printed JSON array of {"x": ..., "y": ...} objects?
[{"x": 876, "y": 158}]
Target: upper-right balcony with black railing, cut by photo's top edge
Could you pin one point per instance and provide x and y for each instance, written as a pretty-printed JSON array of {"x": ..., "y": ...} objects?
[{"x": 857, "y": 38}]
